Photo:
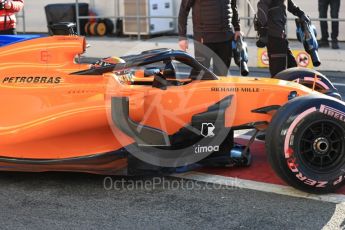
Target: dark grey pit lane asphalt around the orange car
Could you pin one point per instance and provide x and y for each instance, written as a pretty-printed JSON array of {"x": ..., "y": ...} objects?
[{"x": 81, "y": 201}]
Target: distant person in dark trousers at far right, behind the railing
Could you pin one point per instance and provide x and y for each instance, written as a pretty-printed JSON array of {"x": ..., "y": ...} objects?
[{"x": 323, "y": 9}]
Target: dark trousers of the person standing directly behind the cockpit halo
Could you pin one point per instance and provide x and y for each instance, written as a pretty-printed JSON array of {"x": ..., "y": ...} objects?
[{"x": 220, "y": 53}]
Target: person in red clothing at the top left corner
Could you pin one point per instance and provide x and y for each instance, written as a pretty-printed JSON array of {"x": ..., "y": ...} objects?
[{"x": 8, "y": 9}]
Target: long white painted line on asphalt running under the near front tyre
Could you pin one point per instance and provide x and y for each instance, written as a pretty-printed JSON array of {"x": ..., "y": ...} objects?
[{"x": 260, "y": 186}]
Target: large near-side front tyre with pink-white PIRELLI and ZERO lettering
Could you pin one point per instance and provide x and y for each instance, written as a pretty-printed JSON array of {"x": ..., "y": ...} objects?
[{"x": 305, "y": 143}]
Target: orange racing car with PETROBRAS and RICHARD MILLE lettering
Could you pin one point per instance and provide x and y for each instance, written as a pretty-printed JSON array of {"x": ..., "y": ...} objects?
[{"x": 160, "y": 111}]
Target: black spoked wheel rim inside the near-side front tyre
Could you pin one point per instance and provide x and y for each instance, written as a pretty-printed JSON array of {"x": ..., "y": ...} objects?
[{"x": 321, "y": 146}]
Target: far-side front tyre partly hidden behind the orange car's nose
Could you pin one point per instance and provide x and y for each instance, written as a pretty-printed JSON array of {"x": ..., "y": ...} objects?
[{"x": 307, "y": 78}]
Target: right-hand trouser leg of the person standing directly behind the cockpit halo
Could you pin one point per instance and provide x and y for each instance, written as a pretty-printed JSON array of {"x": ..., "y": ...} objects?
[{"x": 222, "y": 59}]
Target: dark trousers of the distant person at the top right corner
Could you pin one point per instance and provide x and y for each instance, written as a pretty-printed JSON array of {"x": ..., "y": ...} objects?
[{"x": 323, "y": 8}]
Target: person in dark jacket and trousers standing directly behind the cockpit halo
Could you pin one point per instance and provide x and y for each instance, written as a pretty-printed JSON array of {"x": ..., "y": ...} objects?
[{"x": 215, "y": 24}]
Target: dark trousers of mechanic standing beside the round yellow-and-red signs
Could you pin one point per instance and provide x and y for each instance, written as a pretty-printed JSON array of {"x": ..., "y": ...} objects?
[{"x": 280, "y": 55}]
